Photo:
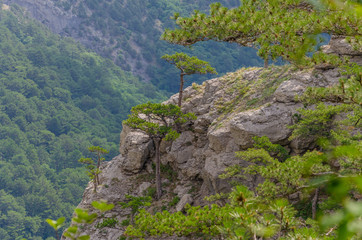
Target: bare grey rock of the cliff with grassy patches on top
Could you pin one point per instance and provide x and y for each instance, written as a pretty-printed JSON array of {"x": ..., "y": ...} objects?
[{"x": 230, "y": 110}]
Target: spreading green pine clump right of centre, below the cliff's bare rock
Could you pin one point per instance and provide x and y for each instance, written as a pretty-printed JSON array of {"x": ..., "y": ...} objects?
[{"x": 281, "y": 178}]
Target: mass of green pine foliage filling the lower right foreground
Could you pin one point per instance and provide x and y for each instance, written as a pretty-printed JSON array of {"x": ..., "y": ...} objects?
[{"x": 328, "y": 177}]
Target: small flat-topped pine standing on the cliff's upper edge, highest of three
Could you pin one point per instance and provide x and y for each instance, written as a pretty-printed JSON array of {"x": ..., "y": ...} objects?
[{"x": 188, "y": 66}]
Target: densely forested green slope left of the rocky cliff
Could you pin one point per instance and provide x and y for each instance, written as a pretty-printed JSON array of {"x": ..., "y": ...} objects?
[{"x": 56, "y": 100}]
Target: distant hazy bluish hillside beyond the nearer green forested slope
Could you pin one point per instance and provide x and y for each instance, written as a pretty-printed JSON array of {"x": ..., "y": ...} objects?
[{"x": 128, "y": 32}]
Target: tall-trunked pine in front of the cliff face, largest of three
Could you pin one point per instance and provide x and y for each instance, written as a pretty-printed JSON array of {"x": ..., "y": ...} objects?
[{"x": 159, "y": 122}]
